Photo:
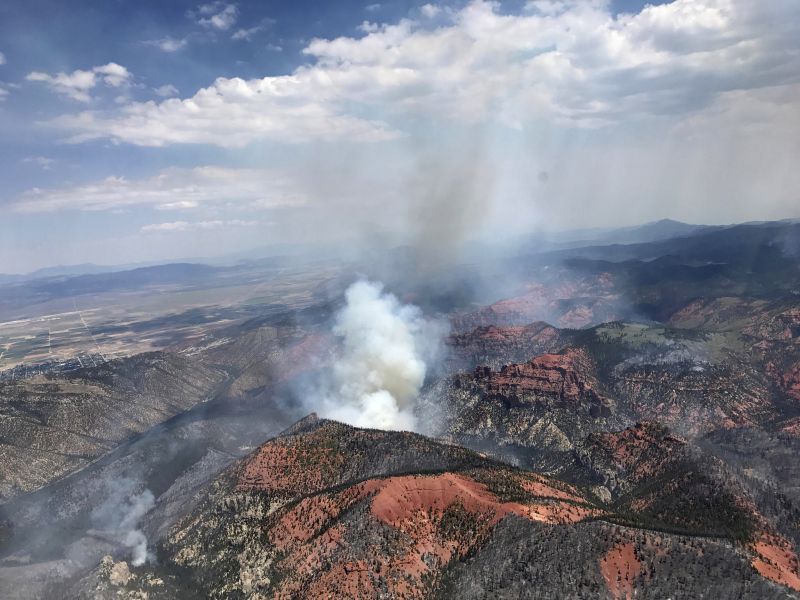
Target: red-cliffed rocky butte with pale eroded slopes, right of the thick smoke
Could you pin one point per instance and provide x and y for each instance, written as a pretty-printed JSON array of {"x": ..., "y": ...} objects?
[{"x": 529, "y": 413}]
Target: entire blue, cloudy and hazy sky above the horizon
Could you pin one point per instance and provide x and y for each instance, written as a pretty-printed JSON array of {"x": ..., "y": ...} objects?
[{"x": 152, "y": 131}]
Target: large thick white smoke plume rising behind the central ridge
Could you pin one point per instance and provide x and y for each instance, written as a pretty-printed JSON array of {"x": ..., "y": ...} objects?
[{"x": 382, "y": 368}]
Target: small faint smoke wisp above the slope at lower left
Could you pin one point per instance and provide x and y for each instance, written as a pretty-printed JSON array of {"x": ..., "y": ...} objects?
[{"x": 120, "y": 514}]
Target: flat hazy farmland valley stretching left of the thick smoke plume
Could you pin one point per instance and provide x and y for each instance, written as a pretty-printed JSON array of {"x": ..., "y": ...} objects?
[{"x": 69, "y": 328}]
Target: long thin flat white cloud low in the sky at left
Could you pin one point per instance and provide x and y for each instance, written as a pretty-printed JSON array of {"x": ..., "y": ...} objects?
[{"x": 170, "y": 189}]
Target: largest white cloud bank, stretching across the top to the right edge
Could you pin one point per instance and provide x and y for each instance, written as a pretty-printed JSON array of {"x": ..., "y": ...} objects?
[{"x": 572, "y": 63}]
